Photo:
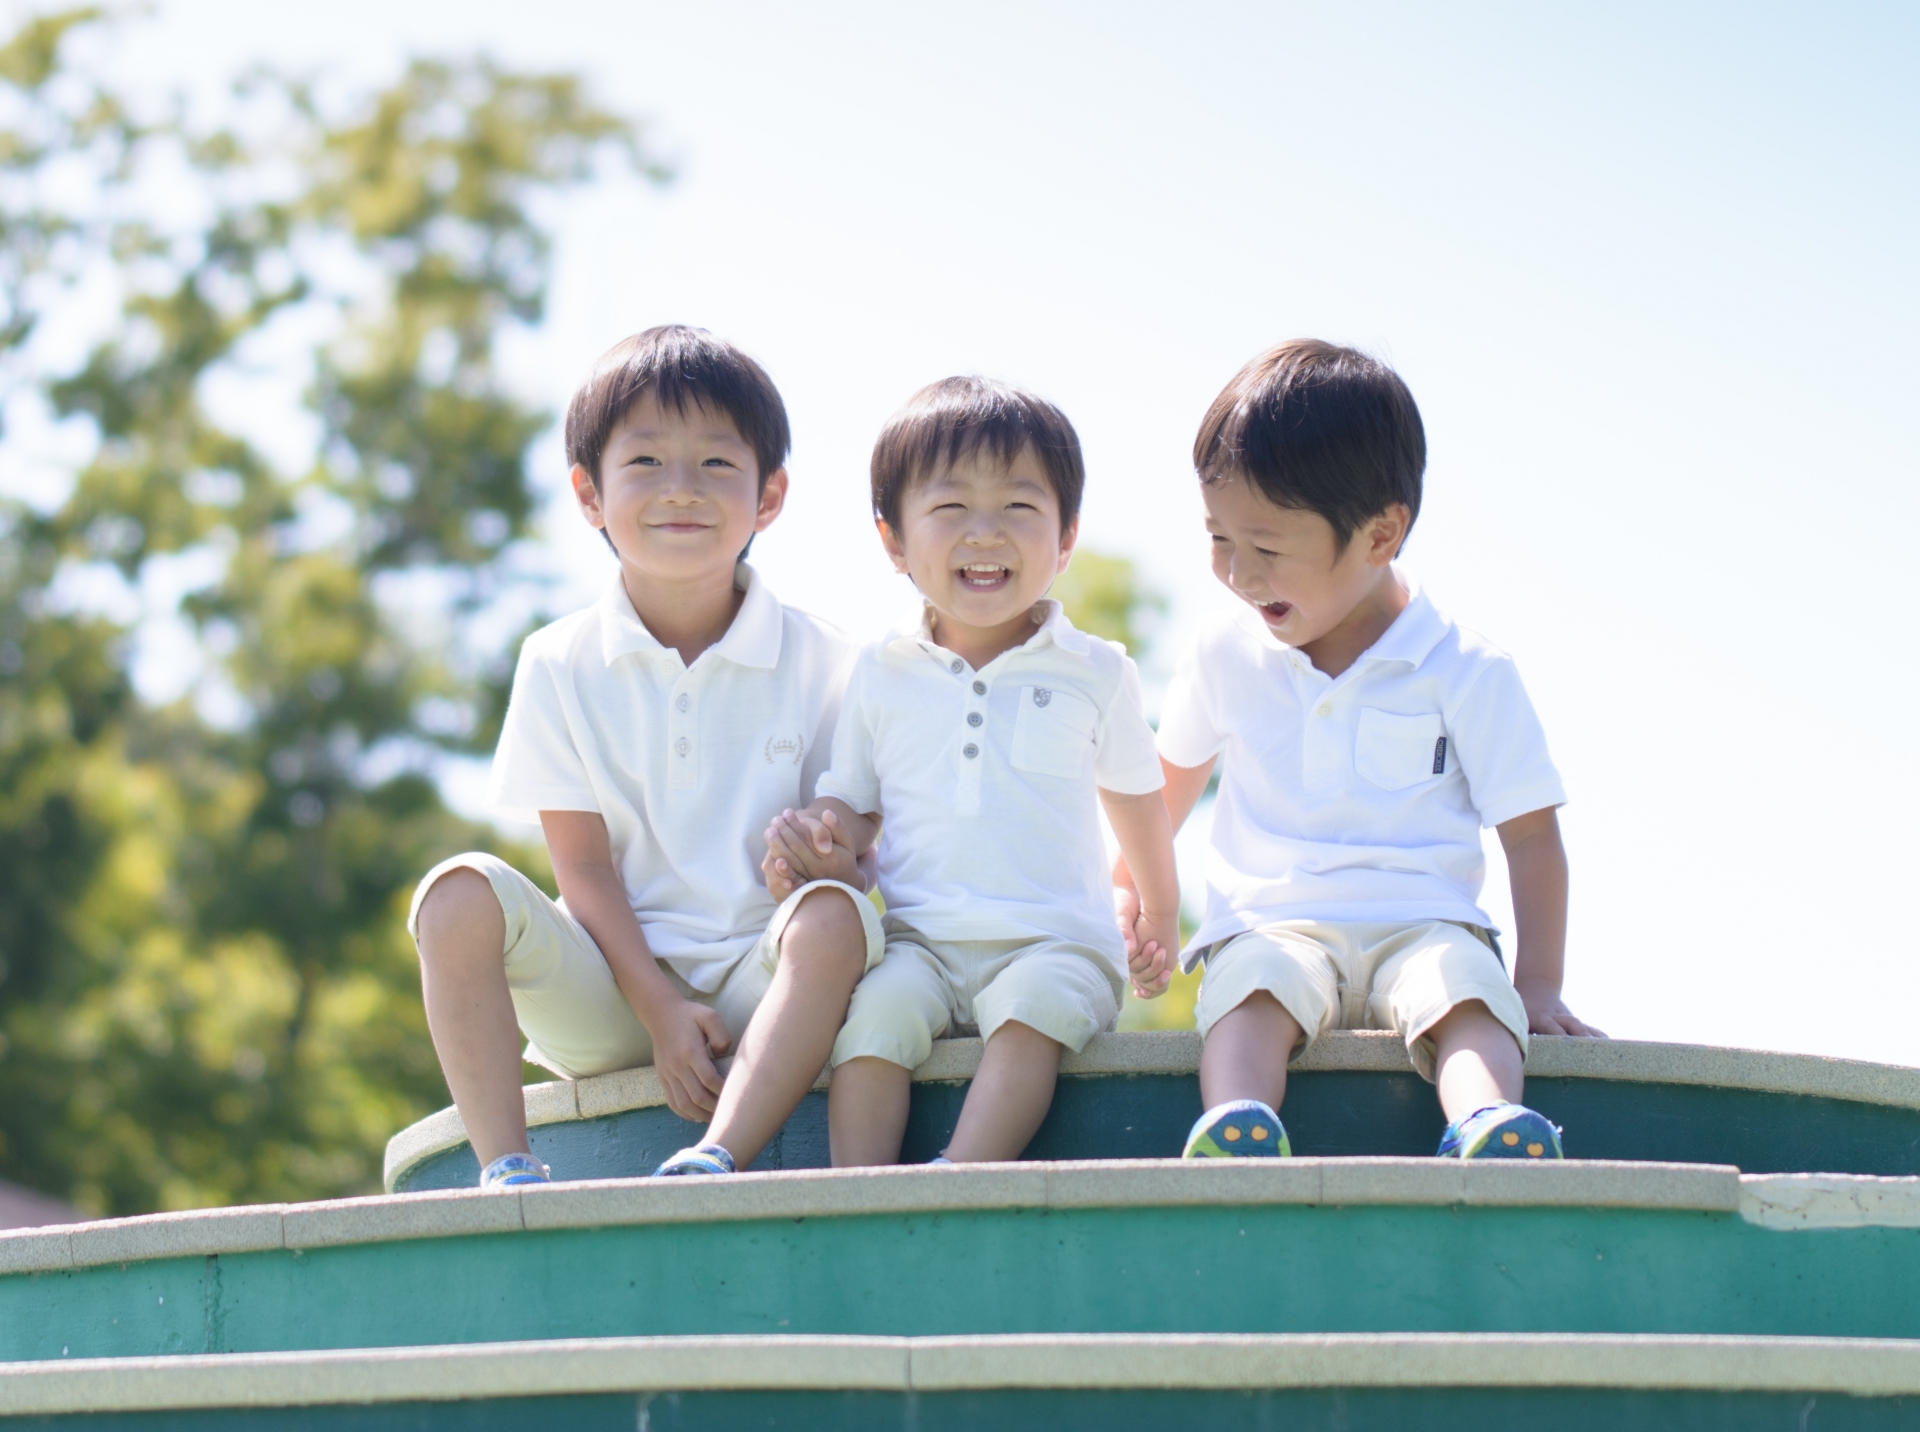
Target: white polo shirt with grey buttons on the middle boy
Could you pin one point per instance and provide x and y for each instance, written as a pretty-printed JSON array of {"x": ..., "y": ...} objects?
[{"x": 988, "y": 782}]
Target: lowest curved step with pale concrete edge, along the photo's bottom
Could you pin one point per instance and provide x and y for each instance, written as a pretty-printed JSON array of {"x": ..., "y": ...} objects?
[{"x": 663, "y": 1379}]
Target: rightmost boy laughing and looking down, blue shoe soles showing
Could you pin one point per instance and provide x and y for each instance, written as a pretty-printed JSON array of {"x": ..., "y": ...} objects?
[{"x": 1366, "y": 744}]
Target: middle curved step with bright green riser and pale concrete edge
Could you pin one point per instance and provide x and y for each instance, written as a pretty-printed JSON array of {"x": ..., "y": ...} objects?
[{"x": 1097, "y": 1247}]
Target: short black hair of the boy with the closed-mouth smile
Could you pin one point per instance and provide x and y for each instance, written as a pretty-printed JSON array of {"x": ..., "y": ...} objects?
[{"x": 679, "y": 368}]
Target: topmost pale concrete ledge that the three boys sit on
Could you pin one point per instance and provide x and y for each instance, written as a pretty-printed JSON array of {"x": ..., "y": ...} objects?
[{"x": 1178, "y": 1053}]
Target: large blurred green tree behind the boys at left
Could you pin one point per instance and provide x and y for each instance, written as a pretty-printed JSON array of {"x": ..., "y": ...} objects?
[{"x": 206, "y": 988}]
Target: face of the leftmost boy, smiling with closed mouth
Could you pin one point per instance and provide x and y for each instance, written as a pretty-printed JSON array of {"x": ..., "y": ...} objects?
[{"x": 681, "y": 494}]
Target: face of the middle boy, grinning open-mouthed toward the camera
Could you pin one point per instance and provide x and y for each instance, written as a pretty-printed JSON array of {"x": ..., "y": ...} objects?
[{"x": 982, "y": 538}]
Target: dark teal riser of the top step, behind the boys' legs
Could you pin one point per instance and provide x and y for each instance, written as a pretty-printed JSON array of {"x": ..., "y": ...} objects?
[{"x": 1328, "y": 1114}]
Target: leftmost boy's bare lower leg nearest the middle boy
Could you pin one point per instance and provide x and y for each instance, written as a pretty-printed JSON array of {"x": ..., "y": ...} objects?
[{"x": 823, "y": 955}]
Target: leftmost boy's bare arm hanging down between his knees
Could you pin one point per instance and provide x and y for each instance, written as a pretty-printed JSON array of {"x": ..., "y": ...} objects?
[{"x": 686, "y": 1036}]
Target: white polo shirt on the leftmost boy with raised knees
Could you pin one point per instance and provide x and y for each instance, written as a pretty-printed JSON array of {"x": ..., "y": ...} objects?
[{"x": 686, "y": 765}]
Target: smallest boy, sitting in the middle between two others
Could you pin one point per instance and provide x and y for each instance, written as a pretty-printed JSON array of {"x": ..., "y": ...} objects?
[{"x": 984, "y": 734}]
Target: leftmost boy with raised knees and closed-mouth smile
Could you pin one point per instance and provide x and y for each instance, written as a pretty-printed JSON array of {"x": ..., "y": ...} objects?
[{"x": 650, "y": 736}]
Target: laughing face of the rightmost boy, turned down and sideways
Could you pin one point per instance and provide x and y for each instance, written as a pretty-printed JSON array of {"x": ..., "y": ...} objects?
[{"x": 1287, "y": 565}]
